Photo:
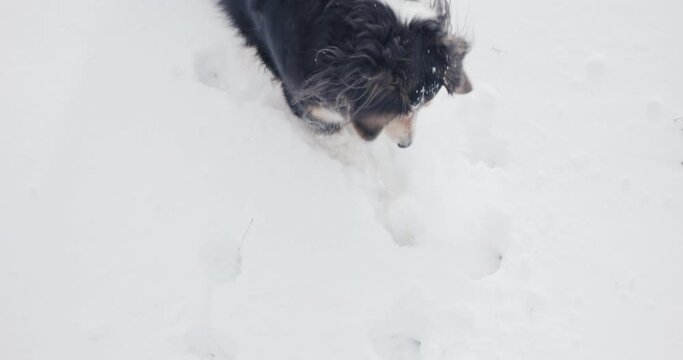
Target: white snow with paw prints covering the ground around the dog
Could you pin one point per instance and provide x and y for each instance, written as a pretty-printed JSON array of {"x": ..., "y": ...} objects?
[{"x": 539, "y": 217}]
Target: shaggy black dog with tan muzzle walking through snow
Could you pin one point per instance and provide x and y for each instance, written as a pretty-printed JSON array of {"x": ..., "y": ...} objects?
[{"x": 372, "y": 63}]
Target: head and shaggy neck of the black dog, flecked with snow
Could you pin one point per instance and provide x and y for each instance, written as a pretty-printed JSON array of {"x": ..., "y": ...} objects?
[{"x": 382, "y": 67}]
